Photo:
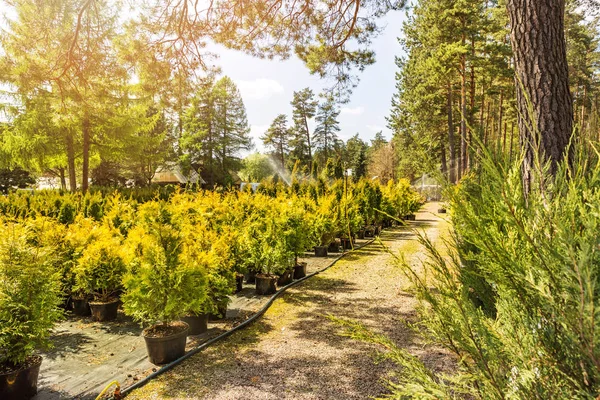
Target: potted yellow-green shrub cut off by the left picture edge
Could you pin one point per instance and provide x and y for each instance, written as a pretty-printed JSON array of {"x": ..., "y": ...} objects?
[{"x": 29, "y": 306}]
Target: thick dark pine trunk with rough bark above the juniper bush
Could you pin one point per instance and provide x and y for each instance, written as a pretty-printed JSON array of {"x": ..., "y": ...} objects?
[{"x": 542, "y": 81}]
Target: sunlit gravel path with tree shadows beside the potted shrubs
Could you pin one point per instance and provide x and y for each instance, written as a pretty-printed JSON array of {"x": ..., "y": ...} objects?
[{"x": 295, "y": 352}]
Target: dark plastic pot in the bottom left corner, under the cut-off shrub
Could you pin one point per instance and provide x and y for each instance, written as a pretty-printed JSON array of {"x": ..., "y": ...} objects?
[{"x": 21, "y": 384}]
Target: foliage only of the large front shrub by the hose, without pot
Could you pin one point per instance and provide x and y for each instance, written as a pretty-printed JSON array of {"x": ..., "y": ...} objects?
[{"x": 167, "y": 273}]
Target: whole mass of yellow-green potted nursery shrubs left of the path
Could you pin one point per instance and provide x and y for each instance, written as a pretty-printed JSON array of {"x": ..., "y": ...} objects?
[{"x": 169, "y": 261}]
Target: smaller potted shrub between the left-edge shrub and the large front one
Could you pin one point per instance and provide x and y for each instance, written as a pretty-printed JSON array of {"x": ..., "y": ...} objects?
[{"x": 98, "y": 274}]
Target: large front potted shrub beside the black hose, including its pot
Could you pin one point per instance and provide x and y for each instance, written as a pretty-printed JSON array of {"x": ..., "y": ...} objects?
[{"x": 163, "y": 282}]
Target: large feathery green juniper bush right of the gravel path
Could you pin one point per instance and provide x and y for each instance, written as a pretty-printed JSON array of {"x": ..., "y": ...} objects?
[{"x": 515, "y": 298}]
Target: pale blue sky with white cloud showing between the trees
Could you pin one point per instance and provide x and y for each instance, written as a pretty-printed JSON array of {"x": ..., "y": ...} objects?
[{"x": 267, "y": 86}]
